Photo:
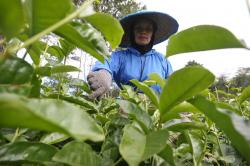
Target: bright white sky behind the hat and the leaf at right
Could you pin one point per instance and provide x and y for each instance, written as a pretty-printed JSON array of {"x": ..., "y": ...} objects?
[{"x": 230, "y": 14}]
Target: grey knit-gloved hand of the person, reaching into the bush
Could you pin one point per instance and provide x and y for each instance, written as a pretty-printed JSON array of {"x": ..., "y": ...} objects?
[{"x": 100, "y": 82}]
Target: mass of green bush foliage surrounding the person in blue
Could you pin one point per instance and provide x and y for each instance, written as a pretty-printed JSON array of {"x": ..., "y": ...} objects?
[{"x": 53, "y": 122}]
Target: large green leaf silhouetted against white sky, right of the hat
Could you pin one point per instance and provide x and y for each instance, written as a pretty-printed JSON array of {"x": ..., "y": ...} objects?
[{"x": 202, "y": 38}]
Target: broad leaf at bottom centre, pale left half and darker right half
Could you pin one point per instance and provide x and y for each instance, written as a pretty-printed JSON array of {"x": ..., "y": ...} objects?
[{"x": 136, "y": 146}]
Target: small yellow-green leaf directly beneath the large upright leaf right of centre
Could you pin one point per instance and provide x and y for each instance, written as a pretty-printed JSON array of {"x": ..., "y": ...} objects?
[{"x": 174, "y": 113}]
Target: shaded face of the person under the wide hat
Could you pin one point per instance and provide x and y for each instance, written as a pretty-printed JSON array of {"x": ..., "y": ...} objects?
[{"x": 143, "y": 31}]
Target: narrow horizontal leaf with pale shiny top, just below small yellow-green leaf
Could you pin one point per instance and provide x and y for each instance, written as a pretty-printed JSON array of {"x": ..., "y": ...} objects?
[{"x": 182, "y": 124}]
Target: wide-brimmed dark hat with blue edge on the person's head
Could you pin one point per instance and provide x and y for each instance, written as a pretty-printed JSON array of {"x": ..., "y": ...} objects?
[{"x": 166, "y": 26}]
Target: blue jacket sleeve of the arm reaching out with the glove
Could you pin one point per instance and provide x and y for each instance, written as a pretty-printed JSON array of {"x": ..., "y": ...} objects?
[{"x": 111, "y": 65}]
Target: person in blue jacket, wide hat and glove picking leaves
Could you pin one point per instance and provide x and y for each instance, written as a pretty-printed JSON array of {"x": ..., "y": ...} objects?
[{"x": 137, "y": 59}]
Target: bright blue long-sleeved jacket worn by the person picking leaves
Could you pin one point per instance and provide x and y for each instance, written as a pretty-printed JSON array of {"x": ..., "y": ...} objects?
[{"x": 129, "y": 64}]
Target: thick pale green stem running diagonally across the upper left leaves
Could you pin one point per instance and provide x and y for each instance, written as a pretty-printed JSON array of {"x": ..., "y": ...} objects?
[{"x": 57, "y": 25}]
